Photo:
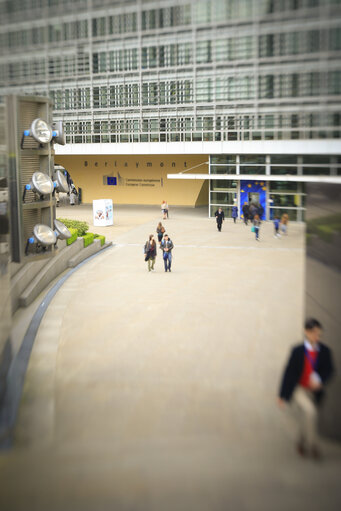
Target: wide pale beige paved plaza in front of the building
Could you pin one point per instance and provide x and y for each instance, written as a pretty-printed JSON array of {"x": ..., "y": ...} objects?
[{"x": 157, "y": 391}]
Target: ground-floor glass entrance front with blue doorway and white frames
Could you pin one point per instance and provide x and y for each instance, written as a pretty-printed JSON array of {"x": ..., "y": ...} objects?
[{"x": 281, "y": 196}]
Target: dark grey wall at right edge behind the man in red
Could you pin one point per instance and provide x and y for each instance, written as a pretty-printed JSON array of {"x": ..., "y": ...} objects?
[{"x": 323, "y": 291}]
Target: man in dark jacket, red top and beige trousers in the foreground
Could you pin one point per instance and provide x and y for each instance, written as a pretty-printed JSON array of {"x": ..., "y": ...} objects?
[{"x": 309, "y": 368}]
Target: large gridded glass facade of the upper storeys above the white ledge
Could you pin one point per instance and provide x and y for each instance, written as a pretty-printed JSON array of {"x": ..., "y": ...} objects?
[{"x": 197, "y": 70}]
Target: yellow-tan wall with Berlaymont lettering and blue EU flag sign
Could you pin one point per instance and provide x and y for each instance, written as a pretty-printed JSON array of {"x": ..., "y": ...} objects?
[{"x": 141, "y": 179}]
